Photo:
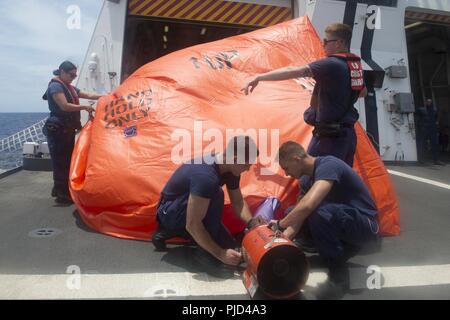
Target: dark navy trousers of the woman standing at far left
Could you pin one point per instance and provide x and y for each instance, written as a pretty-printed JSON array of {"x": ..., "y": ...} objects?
[{"x": 60, "y": 144}]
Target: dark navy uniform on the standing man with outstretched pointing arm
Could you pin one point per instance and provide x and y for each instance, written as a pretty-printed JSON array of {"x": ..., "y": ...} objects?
[{"x": 330, "y": 103}]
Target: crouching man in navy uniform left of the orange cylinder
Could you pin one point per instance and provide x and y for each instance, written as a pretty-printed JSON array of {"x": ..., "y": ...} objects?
[{"x": 192, "y": 200}]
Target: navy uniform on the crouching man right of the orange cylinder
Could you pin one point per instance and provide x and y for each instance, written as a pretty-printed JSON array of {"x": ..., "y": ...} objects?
[{"x": 347, "y": 215}]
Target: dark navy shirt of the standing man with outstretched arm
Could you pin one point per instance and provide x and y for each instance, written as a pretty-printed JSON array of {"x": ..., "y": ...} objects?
[{"x": 332, "y": 92}]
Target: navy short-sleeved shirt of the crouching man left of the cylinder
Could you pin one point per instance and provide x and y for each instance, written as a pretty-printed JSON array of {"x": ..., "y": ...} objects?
[{"x": 203, "y": 180}]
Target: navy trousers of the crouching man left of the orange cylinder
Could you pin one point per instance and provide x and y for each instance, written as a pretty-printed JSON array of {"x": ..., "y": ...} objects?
[{"x": 171, "y": 215}]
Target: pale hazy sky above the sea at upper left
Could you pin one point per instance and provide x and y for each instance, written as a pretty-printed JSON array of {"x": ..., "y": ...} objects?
[{"x": 34, "y": 40}]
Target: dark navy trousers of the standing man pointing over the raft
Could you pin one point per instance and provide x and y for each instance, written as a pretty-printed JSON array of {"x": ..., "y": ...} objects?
[{"x": 342, "y": 147}]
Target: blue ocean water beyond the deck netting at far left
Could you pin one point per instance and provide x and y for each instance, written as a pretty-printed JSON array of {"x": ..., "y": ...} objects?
[{"x": 11, "y": 123}]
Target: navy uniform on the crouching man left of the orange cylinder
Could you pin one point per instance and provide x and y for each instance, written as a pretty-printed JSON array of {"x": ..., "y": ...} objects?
[{"x": 203, "y": 180}]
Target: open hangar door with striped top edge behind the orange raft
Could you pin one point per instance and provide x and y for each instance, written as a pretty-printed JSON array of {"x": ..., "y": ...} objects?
[{"x": 155, "y": 28}]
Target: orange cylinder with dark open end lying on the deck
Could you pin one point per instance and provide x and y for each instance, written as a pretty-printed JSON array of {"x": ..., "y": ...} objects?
[{"x": 275, "y": 265}]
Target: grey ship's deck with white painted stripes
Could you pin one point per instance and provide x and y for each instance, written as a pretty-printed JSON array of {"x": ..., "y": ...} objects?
[{"x": 43, "y": 248}]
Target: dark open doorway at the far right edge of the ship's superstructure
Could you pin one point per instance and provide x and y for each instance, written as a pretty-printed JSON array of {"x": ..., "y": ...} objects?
[{"x": 428, "y": 40}]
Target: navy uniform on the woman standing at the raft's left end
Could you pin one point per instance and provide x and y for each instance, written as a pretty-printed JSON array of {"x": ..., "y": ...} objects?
[{"x": 60, "y": 129}]
